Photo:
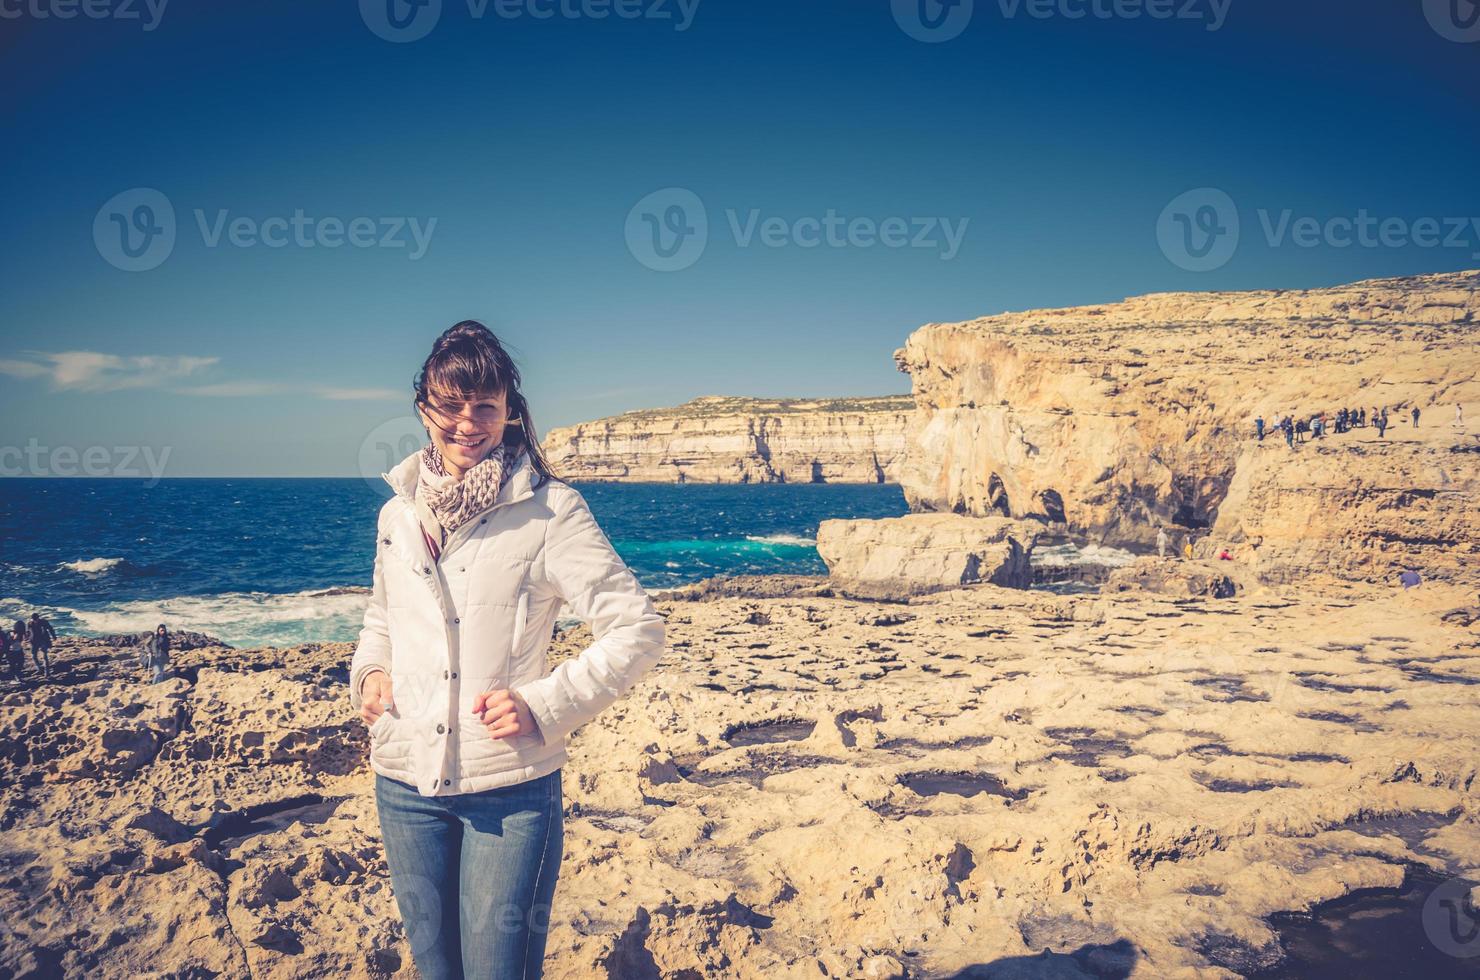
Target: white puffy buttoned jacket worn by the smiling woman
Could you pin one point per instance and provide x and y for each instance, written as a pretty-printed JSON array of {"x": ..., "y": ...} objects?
[{"x": 482, "y": 618}]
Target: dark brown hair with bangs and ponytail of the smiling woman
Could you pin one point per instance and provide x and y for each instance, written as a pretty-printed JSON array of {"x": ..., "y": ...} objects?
[{"x": 467, "y": 362}]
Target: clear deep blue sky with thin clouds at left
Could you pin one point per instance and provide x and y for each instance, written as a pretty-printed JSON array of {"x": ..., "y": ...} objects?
[{"x": 1025, "y": 162}]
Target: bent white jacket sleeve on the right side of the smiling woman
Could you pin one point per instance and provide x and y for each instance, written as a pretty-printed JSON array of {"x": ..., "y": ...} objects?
[{"x": 630, "y": 634}]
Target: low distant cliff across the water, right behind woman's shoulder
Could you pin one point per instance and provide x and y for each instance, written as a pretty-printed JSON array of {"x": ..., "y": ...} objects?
[{"x": 741, "y": 440}]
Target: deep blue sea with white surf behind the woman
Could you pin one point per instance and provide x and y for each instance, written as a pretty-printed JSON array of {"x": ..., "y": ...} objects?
[{"x": 283, "y": 562}]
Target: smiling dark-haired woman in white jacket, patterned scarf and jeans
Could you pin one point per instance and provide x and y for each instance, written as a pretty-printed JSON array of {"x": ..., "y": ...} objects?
[{"x": 477, "y": 551}]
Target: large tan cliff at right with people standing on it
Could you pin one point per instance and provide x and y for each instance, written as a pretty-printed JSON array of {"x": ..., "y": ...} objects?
[{"x": 1123, "y": 418}]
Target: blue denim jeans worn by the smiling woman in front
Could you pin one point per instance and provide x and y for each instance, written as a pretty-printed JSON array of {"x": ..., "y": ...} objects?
[{"x": 474, "y": 876}]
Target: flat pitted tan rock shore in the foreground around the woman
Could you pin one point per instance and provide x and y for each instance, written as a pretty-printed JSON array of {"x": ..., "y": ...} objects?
[{"x": 976, "y": 782}]
